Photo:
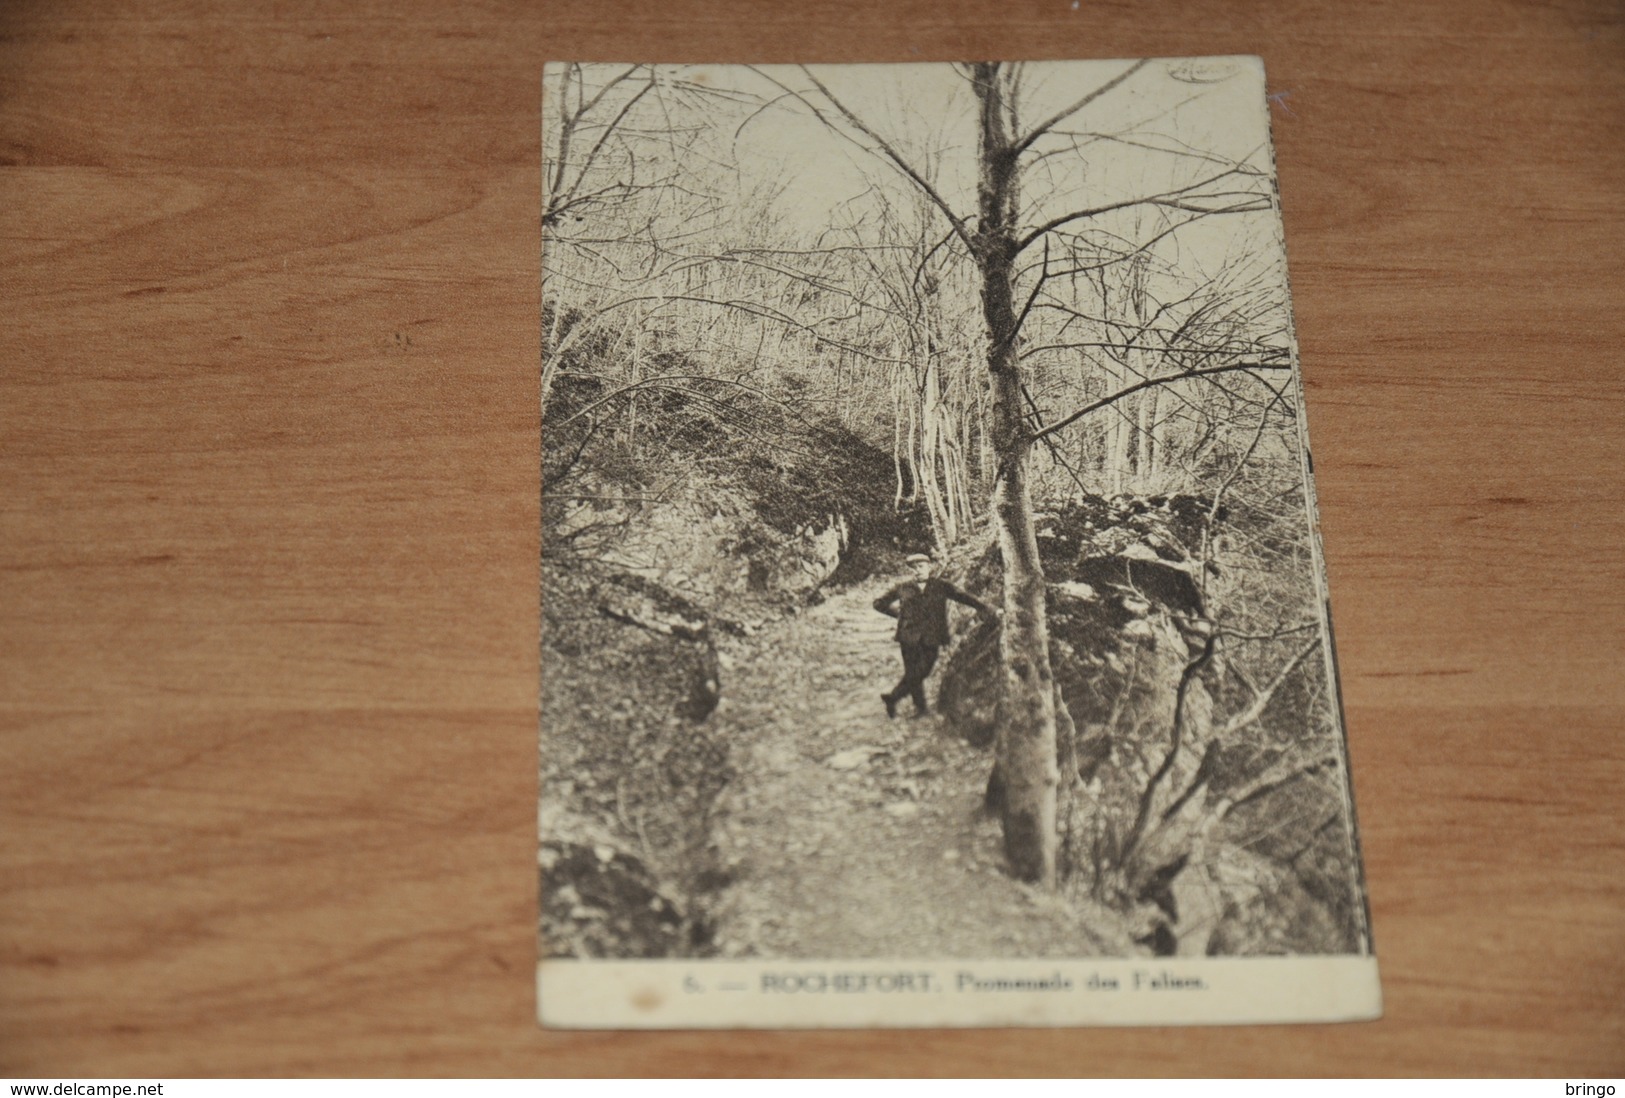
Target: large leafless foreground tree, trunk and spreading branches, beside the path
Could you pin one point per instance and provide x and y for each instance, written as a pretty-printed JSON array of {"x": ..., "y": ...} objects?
[{"x": 1000, "y": 236}]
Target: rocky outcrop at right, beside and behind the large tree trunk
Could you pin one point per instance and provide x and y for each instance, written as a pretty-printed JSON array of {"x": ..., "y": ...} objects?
[{"x": 1156, "y": 766}]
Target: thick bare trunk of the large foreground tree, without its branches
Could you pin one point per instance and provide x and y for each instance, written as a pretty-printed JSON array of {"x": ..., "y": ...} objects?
[{"x": 1028, "y": 732}]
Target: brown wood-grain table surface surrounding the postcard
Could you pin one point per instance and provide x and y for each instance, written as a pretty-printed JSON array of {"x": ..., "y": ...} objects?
[{"x": 269, "y": 534}]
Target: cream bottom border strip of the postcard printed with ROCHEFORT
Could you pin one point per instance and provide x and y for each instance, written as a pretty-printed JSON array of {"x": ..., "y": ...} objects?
[{"x": 683, "y": 995}]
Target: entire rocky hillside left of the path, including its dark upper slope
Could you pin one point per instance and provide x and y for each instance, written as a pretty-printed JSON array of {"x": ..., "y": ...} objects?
[{"x": 672, "y": 514}]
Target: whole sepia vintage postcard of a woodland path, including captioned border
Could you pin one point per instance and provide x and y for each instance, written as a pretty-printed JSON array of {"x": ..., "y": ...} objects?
[{"x": 935, "y": 629}]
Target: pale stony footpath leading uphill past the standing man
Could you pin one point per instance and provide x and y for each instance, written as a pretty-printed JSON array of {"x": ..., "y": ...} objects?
[{"x": 852, "y": 836}]
